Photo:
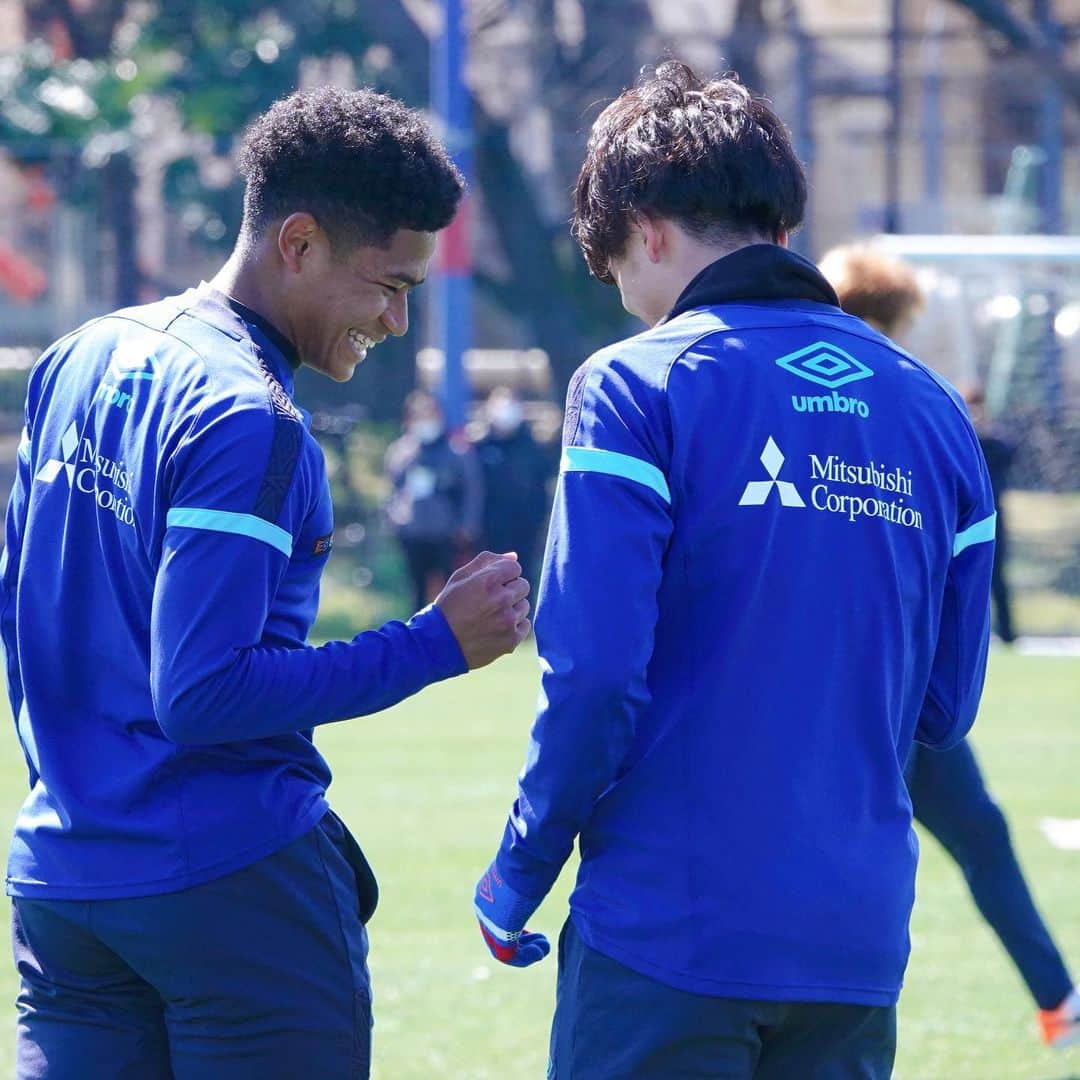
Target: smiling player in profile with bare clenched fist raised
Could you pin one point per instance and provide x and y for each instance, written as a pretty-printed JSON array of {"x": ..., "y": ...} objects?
[{"x": 185, "y": 902}]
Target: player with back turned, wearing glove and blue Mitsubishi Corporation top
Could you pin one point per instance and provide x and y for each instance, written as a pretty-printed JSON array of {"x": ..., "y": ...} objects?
[{"x": 767, "y": 573}]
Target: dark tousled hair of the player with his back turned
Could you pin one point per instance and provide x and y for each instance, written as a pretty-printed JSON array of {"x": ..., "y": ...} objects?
[{"x": 710, "y": 156}]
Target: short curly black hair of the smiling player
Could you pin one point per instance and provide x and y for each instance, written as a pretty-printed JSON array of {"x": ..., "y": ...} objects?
[{"x": 362, "y": 164}]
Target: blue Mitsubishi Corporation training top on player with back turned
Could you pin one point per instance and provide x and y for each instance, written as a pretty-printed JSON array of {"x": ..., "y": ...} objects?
[{"x": 768, "y": 571}]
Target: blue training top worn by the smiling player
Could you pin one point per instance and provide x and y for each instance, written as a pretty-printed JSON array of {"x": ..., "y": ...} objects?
[{"x": 168, "y": 529}]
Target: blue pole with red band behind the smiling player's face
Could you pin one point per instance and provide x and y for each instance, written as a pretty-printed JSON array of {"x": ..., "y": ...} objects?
[{"x": 453, "y": 286}]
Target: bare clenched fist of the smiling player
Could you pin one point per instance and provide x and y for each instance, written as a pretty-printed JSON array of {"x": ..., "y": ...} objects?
[{"x": 484, "y": 603}]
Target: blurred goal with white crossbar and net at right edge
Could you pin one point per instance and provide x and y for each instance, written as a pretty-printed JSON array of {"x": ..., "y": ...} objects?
[{"x": 1003, "y": 318}]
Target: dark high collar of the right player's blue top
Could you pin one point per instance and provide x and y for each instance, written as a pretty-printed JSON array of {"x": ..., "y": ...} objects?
[{"x": 757, "y": 273}]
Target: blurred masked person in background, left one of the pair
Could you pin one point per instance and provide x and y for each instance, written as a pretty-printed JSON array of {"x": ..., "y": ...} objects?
[{"x": 437, "y": 495}]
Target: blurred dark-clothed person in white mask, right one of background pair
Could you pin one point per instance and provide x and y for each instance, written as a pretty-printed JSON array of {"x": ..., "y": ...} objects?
[{"x": 517, "y": 471}]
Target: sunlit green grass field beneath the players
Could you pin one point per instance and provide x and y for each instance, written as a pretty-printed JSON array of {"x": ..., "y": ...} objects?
[{"x": 426, "y": 789}]
